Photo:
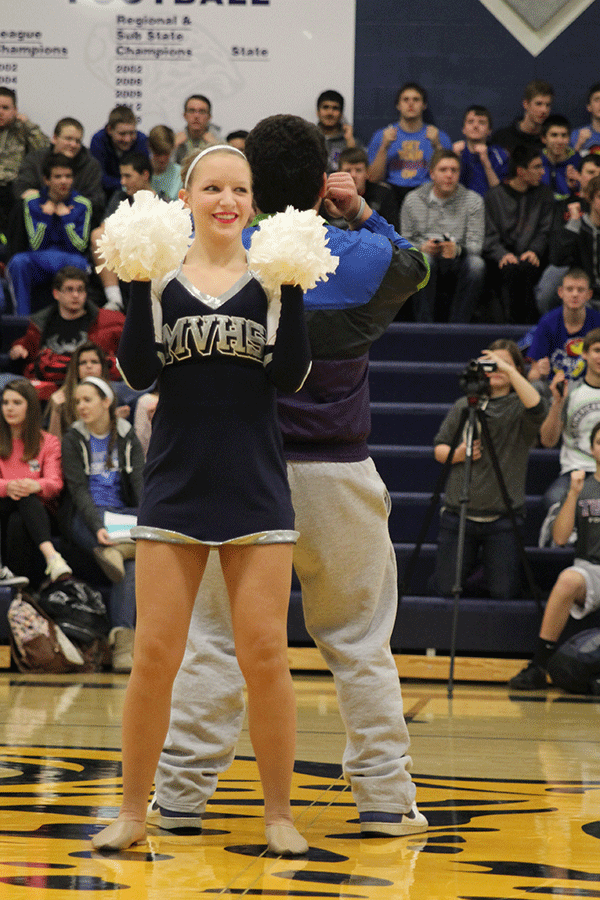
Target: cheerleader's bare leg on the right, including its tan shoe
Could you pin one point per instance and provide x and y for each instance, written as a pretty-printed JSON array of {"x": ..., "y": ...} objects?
[{"x": 258, "y": 580}]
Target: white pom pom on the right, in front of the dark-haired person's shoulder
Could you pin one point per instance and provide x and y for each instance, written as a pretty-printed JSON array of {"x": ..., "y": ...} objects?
[{"x": 291, "y": 248}]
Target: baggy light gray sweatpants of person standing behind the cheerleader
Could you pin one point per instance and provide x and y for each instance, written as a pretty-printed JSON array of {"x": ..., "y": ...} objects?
[{"x": 346, "y": 565}]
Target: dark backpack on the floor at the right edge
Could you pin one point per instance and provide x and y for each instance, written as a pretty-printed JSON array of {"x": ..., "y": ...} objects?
[{"x": 575, "y": 666}]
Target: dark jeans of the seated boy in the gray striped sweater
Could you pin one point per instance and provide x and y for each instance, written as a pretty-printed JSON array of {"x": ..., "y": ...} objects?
[{"x": 463, "y": 276}]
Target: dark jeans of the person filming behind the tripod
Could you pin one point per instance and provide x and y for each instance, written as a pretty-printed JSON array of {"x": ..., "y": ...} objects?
[{"x": 499, "y": 555}]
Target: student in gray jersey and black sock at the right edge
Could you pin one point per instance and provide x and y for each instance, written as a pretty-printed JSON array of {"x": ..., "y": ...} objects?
[{"x": 577, "y": 589}]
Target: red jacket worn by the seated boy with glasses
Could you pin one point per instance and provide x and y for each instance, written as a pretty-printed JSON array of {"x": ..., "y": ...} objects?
[{"x": 44, "y": 365}]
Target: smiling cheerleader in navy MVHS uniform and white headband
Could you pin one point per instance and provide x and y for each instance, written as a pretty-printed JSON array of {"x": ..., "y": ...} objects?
[{"x": 215, "y": 477}]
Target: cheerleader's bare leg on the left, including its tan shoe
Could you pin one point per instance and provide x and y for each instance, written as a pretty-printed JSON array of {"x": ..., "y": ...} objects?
[{"x": 167, "y": 580}]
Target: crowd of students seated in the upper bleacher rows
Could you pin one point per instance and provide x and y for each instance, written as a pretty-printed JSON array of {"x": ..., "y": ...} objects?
[{"x": 531, "y": 212}]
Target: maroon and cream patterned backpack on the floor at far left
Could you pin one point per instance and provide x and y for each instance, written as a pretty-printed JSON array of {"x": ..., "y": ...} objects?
[{"x": 37, "y": 644}]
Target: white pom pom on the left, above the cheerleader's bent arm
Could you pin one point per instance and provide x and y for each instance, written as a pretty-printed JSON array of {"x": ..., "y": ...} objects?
[{"x": 146, "y": 239}]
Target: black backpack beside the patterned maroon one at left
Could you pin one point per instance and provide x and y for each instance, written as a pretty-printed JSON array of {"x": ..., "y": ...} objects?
[{"x": 76, "y": 608}]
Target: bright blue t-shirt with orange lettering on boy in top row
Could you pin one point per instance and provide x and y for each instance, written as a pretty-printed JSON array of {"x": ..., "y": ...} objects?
[{"x": 408, "y": 156}]
